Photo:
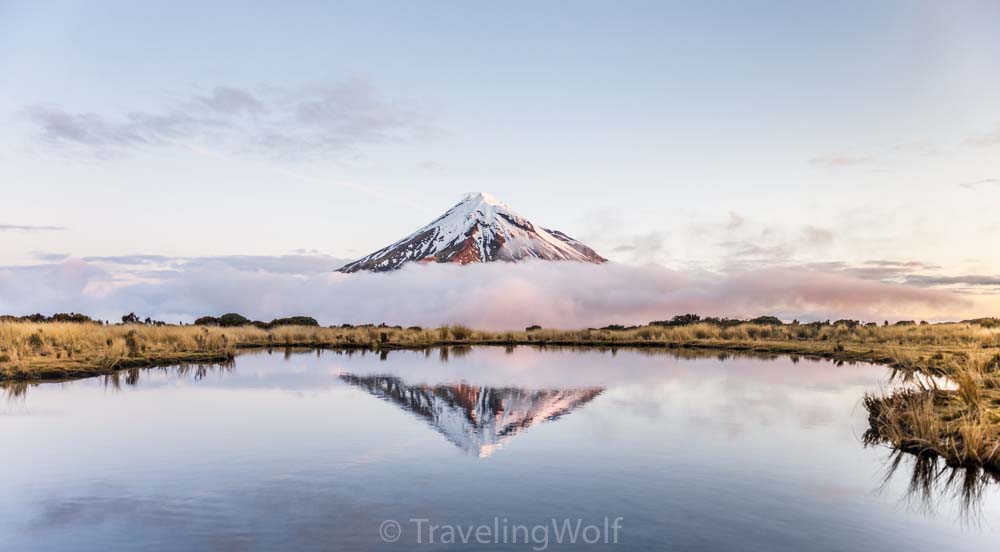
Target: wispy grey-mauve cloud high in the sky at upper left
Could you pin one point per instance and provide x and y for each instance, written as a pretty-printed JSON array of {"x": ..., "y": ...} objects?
[{"x": 293, "y": 123}]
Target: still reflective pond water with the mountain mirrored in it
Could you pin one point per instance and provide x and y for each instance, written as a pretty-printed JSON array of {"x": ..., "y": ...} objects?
[{"x": 307, "y": 450}]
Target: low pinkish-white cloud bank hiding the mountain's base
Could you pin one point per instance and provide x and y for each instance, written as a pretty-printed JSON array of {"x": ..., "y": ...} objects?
[{"x": 493, "y": 296}]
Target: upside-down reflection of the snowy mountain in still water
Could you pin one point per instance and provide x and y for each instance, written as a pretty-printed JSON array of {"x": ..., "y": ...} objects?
[{"x": 477, "y": 419}]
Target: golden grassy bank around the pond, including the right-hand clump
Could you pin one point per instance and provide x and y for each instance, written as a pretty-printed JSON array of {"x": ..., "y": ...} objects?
[{"x": 960, "y": 423}]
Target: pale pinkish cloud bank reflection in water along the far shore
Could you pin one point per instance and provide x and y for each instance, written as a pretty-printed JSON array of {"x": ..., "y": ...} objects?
[{"x": 705, "y": 389}]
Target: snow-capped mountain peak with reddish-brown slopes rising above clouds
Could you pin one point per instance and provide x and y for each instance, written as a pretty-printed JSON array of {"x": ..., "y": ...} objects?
[{"x": 478, "y": 229}]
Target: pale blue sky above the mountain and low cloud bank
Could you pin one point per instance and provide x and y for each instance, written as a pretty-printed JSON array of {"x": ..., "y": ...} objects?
[{"x": 723, "y": 136}]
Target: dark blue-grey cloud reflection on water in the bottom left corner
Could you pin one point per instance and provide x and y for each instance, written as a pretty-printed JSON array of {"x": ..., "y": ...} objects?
[{"x": 290, "y": 515}]
